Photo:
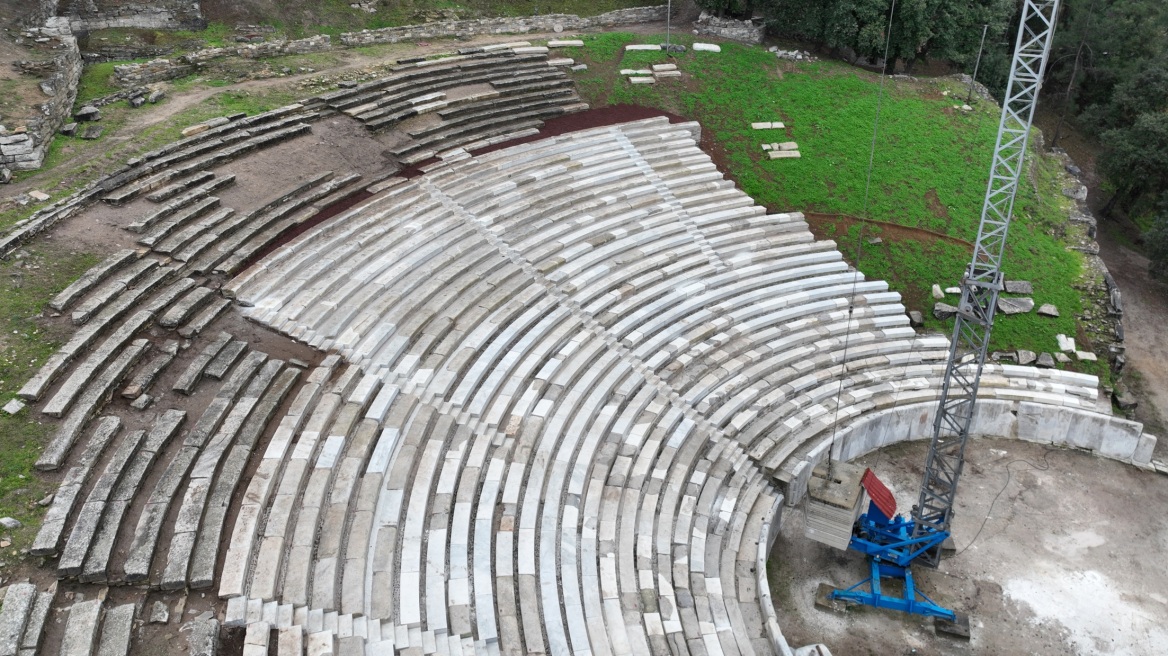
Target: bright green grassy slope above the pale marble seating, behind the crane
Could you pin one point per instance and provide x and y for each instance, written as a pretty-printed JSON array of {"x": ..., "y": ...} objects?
[{"x": 929, "y": 172}]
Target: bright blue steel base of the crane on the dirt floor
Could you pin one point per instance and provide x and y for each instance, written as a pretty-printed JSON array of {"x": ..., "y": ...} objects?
[{"x": 891, "y": 549}]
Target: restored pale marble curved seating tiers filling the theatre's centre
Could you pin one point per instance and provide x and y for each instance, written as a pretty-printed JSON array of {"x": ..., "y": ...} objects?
[{"x": 580, "y": 373}]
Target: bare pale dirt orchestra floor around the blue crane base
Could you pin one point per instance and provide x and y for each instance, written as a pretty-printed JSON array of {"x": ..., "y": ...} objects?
[{"x": 1056, "y": 555}]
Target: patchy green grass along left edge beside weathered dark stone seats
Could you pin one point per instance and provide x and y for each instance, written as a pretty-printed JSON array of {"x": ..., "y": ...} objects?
[{"x": 26, "y": 341}]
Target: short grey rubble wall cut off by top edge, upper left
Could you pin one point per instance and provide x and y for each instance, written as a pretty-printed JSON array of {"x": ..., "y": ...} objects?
[{"x": 148, "y": 15}]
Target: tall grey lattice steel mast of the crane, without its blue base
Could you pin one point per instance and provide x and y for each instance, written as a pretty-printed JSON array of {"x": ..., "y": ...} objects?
[{"x": 983, "y": 281}]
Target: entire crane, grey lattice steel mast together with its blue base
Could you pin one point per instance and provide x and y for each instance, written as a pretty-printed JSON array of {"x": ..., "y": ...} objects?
[{"x": 894, "y": 543}]
